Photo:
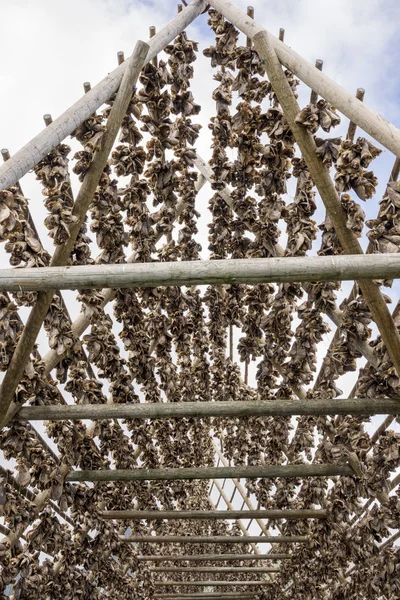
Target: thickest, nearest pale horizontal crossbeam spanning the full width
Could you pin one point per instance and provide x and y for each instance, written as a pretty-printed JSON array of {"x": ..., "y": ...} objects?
[{"x": 204, "y": 272}]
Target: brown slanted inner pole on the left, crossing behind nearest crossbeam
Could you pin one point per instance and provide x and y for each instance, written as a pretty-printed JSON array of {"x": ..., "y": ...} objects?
[{"x": 62, "y": 253}]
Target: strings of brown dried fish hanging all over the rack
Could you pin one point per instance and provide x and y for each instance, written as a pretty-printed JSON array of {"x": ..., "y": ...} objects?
[{"x": 175, "y": 343}]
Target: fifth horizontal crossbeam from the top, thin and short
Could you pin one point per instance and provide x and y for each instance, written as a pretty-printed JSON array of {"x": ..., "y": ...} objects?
[{"x": 215, "y": 539}]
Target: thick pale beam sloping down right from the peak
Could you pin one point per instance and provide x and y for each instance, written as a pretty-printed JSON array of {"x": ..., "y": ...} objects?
[{"x": 363, "y": 116}]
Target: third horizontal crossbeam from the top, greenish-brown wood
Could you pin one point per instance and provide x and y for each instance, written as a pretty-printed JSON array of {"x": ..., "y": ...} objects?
[{"x": 247, "y": 472}]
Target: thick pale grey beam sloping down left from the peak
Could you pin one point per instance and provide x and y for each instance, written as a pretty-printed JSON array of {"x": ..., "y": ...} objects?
[{"x": 48, "y": 139}]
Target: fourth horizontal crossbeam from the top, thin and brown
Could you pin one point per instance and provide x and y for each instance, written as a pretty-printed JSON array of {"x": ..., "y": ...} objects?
[{"x": 158, "y": 515}]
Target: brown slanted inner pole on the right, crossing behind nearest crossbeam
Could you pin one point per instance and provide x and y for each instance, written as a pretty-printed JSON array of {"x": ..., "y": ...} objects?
[{"x": 321, "y": 177}]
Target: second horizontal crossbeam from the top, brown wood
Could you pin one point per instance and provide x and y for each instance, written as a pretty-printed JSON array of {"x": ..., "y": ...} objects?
[{"x": 177, "y": 410}]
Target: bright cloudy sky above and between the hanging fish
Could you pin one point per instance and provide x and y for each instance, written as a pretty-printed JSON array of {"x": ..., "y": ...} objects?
[{"x": 49, "y": 48}]
